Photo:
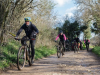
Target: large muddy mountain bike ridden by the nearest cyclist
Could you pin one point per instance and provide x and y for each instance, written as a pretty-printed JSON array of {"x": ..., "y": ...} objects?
[{"x": 24, "y": 53}]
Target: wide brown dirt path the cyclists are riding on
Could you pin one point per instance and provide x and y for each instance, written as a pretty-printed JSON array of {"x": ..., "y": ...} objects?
[{"x": 83, "y": 63}]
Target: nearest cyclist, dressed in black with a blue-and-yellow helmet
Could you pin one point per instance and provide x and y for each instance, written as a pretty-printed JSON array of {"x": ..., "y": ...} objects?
[{"x": 31, "y": 32}]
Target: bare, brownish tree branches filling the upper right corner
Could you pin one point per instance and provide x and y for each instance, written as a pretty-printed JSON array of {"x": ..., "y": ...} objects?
[{"x": 89, "y": 10}]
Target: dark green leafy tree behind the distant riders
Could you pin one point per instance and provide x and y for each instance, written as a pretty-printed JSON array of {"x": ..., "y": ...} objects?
[{"x": 72, "y": 29}]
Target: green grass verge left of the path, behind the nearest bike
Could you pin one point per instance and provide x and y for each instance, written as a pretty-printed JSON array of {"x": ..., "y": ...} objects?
[{"x": 8, "y": 53}]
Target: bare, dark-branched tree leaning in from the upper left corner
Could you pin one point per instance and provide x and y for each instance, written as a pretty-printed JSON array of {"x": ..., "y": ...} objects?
[{"x": 11, "y": 11}]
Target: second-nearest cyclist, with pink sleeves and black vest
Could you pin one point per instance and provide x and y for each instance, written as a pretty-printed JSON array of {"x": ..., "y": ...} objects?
[{"x": 62, "y": 39}]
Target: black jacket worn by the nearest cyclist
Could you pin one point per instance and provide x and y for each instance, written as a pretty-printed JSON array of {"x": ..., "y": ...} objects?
[{"x": 29, "y": 30}]
